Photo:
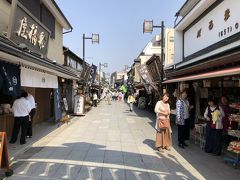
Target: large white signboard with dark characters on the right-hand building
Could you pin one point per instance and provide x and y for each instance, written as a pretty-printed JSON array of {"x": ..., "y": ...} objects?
[{"x": 217, "y": 27}]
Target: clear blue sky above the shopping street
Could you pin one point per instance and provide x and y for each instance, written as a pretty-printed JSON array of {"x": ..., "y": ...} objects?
[{"x": 119, "y": 24}]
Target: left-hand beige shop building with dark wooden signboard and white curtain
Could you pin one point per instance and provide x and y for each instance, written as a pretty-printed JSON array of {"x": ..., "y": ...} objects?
[{"x": 31, "y": 41}]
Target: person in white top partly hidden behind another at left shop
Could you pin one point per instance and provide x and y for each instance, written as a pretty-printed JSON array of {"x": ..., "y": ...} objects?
[{"x": 32, "y": 113}]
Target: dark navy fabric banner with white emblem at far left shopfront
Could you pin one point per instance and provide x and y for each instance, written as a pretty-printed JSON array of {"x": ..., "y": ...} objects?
[{"x": 10, "y": 74}]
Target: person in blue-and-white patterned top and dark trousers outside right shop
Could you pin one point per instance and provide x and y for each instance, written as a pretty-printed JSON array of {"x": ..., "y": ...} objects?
[{"x": 182, "y": 119}]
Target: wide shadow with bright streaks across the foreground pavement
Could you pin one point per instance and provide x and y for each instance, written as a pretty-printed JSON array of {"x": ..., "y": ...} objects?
[{"x": 85, "y": 160}]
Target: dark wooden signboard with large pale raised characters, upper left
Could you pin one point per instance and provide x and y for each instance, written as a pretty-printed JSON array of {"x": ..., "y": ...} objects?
[{"x": 28, "y": 30}]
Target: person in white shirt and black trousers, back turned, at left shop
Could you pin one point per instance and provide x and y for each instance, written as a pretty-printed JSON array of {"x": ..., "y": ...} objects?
[{"x": 21, "y": 109}]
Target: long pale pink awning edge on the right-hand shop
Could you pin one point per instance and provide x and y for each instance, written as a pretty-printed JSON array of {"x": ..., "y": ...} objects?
[{"x": 220, "y": 73}]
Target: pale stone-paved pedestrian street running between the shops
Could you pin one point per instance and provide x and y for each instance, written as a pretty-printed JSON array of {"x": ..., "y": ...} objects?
[{"x": 111, "y": 142}]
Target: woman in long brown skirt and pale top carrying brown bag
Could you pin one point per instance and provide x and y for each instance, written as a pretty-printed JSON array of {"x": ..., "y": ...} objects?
[{"x": 163, "y": 136}]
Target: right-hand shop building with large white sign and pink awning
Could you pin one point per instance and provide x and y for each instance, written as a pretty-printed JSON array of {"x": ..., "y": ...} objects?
[{"x": 207, "y": 58}]
